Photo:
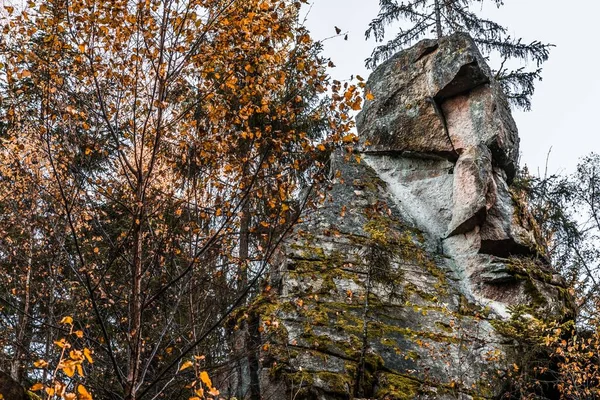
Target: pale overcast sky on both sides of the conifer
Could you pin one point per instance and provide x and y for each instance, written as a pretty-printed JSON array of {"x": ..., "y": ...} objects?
[{"x": 565, "y": 111}]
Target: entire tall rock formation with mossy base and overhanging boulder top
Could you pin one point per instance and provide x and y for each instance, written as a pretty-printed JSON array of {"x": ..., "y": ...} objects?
[{"x": 398, "y": 286}]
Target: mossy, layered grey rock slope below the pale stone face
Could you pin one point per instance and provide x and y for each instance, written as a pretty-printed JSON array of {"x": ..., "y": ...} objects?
[{"x": 415, "y": 306}]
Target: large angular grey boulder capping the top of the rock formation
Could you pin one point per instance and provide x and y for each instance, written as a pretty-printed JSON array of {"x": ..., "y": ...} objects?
[{"x": 439, "y": 98}]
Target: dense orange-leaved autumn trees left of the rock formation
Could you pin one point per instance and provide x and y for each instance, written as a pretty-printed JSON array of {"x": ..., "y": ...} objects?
[{"x": 150, "y": 154}]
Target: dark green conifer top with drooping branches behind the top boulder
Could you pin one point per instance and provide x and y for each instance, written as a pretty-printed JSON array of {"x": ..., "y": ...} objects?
[{"x": 443, "y": 17}]
